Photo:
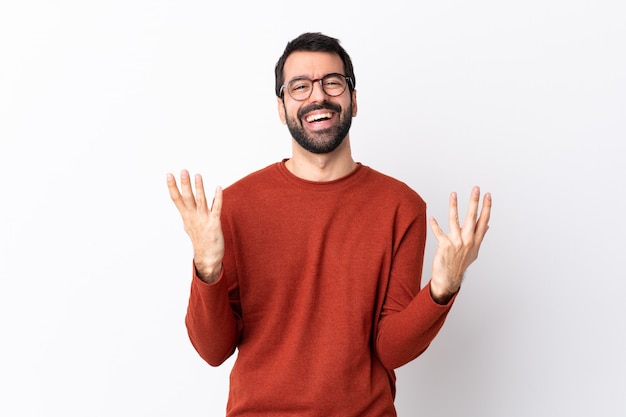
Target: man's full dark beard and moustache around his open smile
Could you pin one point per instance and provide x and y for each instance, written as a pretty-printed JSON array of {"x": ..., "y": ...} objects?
[{"x": 322, "y": 141}]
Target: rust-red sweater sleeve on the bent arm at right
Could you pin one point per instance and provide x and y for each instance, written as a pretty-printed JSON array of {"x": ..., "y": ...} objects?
[{"x": 410, "y": 318}]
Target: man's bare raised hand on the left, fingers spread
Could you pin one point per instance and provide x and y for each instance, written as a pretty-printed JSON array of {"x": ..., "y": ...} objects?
[{"x": 202, "y": 224}]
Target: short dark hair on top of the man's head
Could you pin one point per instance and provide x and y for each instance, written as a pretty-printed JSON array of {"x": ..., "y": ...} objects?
[{"x": 314, "y": 42}]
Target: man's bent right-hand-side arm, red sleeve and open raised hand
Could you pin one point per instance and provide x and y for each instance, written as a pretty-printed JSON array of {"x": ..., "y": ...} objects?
[{"x": 411, "y": 318}]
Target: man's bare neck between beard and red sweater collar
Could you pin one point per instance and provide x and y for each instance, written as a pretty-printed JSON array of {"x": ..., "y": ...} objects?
[{"x": 321, "y": 167}]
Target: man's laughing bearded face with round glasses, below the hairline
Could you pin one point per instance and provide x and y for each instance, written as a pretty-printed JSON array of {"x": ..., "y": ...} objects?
[{"x": 320, "y": 123}]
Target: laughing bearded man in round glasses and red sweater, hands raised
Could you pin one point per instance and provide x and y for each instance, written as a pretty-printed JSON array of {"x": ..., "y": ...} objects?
[{"x": 311, "y": 267}]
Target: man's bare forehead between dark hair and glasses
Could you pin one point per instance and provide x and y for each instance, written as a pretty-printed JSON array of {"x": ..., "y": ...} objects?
[{"x": 312, "y": 64}]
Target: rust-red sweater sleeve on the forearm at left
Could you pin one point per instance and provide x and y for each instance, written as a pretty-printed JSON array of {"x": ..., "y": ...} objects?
[{"x": 212, "y": 322}]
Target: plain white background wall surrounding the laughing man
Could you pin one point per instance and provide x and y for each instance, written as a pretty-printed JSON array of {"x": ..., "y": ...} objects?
[{"x": 100, "y": 99}]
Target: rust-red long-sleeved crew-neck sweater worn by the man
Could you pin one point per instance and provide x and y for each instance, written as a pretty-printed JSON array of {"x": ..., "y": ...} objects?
[{"x": 320, "y": 294}]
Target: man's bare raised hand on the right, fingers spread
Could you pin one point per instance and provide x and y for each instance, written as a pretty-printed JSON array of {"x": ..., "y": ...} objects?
[{"x": 457, "y": 250}]
